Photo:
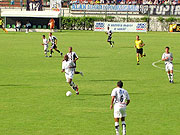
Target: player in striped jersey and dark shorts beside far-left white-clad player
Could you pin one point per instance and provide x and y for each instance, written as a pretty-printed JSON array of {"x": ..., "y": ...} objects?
[{"x": 53, "y": 40}]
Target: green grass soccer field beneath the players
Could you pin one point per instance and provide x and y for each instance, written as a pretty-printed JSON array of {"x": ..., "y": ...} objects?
[{"x": 32, "y": 88}]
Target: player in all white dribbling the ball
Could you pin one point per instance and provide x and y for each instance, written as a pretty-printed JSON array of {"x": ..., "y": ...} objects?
[{"x": 68, "y": 67}]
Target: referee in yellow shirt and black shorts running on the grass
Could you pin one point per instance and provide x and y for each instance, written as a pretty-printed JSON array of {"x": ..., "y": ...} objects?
[{"x": 139, "y": 48}]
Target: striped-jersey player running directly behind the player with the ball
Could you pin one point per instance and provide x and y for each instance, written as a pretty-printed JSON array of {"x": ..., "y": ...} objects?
[{"x": 73, "y": 56}]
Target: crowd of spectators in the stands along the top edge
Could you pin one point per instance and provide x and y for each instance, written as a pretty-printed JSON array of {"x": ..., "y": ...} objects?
[{"x": 129, "y": 2}]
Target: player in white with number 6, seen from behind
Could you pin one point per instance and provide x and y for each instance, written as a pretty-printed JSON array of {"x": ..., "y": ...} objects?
[{"x": 120, "y": 99}]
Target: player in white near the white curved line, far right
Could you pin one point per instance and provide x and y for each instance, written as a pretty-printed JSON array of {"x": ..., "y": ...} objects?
[{"x": 167, "y": 57}]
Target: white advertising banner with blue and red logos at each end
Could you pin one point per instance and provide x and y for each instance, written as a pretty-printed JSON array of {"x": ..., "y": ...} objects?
[{"x": 121, "y": 26}]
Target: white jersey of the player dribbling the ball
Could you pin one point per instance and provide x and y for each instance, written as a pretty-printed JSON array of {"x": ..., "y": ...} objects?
[{"x": 66, "y": 66}]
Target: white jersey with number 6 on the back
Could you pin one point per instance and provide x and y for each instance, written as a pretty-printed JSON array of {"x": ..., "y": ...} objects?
[{"x": 121, "y": 96}]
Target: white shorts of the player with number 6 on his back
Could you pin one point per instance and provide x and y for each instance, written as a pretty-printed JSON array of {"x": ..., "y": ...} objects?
[{"x": 119, "y": 111}]
